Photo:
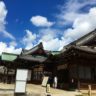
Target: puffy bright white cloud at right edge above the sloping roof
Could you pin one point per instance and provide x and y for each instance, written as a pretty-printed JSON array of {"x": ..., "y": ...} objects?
[{"x": 82, "y": 25}]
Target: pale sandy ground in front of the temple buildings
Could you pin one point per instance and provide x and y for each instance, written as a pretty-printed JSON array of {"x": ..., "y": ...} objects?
[{"x": 35, "y": 90}]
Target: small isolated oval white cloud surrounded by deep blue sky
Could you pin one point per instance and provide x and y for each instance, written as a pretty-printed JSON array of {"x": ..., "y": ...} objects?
[{"x": 41, "y": 21}]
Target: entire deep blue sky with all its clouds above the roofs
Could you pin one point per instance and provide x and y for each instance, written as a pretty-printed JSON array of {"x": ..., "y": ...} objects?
[{"x": 56, "y": 23}]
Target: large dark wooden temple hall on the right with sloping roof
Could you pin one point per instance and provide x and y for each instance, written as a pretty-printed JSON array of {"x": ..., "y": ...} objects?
[{"x": 78, "y": 61}]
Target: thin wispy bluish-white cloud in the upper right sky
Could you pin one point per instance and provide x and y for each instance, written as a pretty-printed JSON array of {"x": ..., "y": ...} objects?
[{"x": 72, "y": 9}]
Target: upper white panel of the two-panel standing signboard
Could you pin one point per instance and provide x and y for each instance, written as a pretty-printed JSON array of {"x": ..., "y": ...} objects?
[{"x": 21, "y": 74}]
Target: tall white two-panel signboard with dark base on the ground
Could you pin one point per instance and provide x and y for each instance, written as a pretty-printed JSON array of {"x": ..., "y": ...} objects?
[{"x": 21, "y": 80}]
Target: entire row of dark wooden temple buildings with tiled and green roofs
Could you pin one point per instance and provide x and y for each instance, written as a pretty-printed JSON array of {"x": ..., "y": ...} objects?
[{"x": 76, "y": 61}]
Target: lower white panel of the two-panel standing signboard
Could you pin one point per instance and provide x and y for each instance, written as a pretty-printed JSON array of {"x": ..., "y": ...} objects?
[{"x": 20, "y": 87}]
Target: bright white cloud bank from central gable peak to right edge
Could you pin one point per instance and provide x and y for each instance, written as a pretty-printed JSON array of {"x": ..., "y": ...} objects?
[{"x": 82, "y": 25}]
